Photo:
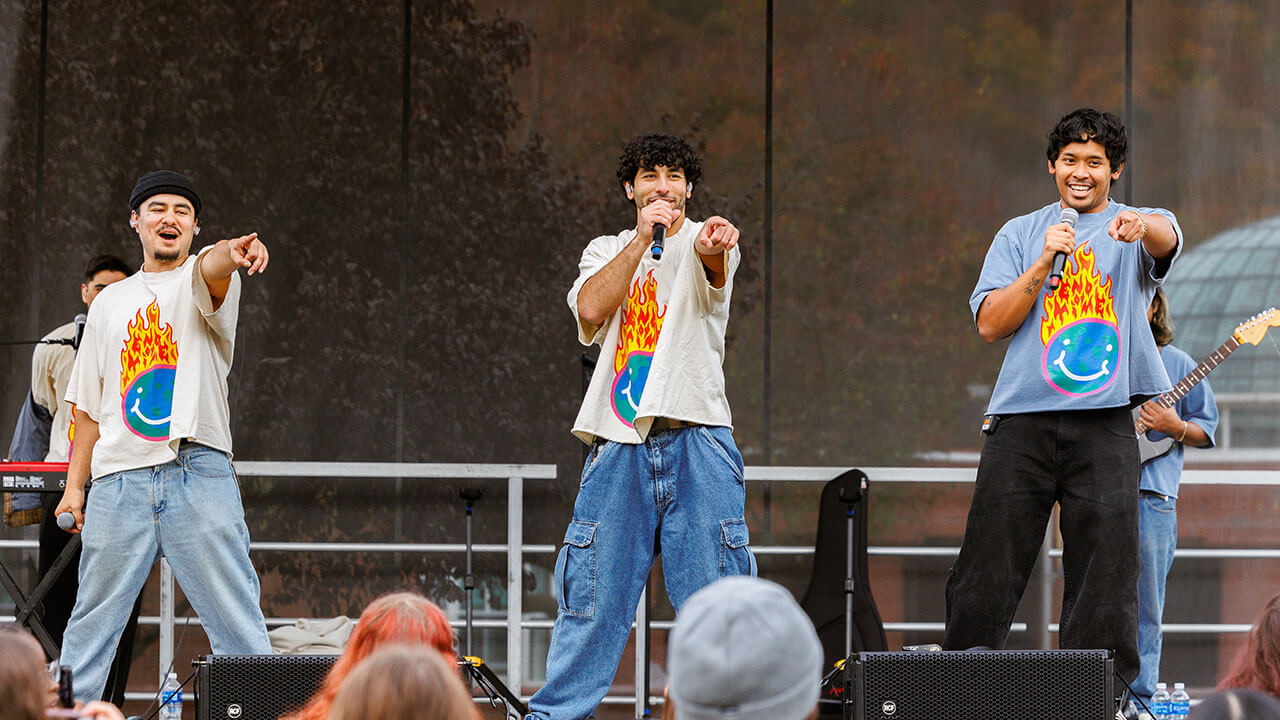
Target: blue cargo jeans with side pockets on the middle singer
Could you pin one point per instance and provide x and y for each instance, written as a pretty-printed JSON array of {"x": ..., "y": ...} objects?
[{"x": 682, "y": 495}]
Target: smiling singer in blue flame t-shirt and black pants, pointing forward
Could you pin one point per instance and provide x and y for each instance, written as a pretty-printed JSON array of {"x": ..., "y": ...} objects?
[{"x": 1059, "y": 427}]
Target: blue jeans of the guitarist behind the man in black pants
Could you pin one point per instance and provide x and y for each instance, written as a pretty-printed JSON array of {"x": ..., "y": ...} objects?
[{"x": 1158, "y": 539}]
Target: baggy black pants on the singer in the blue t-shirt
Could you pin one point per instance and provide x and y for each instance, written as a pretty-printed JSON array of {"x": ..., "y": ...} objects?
[{"x": 1086, "y": 462}]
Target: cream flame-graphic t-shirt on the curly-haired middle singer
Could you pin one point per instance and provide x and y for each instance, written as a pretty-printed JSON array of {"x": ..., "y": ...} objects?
[{"x": 662, "y": 353}]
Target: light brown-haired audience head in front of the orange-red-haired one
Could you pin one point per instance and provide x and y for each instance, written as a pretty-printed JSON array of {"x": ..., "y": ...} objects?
[{"x": 404, "y": 681}]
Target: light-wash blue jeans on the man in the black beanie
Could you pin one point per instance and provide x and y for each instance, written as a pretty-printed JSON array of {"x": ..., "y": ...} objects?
[{"x": 189, "y": 512}]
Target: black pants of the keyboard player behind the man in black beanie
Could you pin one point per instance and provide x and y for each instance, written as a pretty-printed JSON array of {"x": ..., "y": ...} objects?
[{"x": 61, "y": 600}]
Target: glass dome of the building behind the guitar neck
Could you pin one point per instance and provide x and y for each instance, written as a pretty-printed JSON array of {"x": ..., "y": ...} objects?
[{"x": 1219, "y": 286}]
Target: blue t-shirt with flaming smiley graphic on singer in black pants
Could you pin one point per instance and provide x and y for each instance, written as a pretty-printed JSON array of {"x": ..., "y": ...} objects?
[{"x": 1089, "y": 345}]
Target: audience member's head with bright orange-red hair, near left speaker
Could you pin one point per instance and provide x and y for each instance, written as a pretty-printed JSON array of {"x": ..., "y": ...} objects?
[{"x": 397, "y": 618}]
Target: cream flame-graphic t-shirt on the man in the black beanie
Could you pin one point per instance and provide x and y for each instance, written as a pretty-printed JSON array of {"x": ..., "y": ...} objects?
[{"x": 153, "y": 368}]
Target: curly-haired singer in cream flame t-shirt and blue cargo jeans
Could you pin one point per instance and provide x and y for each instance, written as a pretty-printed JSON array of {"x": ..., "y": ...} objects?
[{"x": 664, "y": 476}]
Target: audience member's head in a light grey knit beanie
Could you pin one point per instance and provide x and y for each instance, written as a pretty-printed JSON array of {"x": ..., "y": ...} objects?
[{"x": 744, "y": 644}]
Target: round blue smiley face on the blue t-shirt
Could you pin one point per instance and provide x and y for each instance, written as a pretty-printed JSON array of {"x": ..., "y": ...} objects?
[{"x": 1082, "y": 358}]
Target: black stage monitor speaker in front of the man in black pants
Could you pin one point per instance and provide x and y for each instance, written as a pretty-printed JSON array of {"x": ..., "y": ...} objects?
[{"x": 1045, "y": 685}]
